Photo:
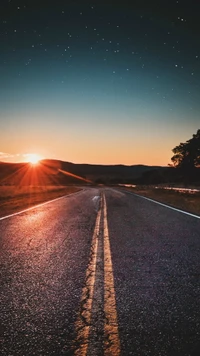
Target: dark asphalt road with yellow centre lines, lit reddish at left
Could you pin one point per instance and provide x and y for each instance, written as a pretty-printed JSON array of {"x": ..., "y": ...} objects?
[{"x": 100, "y": 272}]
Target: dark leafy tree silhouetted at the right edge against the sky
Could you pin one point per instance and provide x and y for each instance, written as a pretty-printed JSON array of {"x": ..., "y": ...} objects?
[{"x": 187, "y": 155}]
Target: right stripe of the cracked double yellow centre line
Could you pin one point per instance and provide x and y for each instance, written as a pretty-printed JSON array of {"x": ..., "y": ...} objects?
[{"x": 112, "y": 341}]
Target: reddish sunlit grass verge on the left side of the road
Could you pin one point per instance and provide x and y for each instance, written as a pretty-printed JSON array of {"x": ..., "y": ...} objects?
[{"x": 16, "y": 198}]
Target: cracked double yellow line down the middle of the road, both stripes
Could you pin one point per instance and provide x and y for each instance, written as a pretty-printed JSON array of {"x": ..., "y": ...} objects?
[{"x": 84, "y": 321}]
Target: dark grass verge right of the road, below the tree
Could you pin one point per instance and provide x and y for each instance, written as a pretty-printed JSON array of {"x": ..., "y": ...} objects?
[{"x": 186, "y": 201}]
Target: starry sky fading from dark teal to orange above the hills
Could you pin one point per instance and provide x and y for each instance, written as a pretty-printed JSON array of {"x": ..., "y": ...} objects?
[{"x": 98, "y": 81}]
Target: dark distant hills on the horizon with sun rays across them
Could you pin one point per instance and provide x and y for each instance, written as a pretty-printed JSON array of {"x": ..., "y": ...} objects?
[{"x": 56, "y": 172}]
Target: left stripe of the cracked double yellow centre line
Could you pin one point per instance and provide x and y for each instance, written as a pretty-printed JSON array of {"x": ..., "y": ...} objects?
[{"x": 83, "y": 322}]
